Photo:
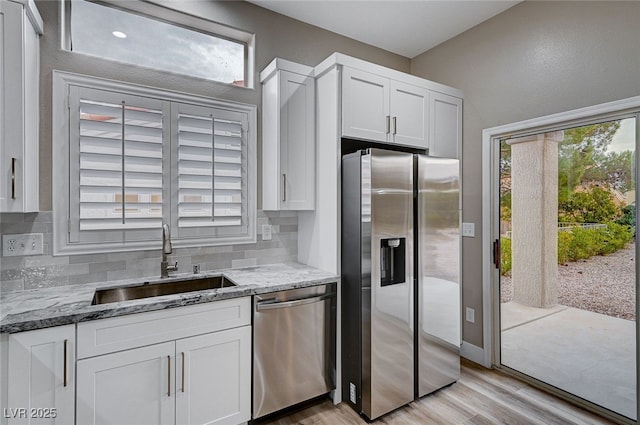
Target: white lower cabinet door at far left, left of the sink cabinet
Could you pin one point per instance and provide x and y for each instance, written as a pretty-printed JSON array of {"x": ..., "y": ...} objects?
[{"x": 41, "y": 376}]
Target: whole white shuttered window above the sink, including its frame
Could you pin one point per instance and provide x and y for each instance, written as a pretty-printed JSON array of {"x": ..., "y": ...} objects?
[{"x": 130, "y": 158}]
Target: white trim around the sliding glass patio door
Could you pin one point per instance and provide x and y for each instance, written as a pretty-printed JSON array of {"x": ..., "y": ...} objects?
[{"x": 486, "y": 355}]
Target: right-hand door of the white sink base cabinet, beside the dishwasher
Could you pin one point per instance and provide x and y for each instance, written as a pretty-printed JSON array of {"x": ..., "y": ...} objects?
[{"x": 214, "y": 378}]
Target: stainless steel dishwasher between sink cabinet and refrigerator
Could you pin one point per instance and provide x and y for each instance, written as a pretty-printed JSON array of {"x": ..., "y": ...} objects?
[{"x": 294, "y": 347}]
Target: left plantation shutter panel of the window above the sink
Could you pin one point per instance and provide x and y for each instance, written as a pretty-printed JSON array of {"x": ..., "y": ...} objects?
[{"x": 116, "y": 166}]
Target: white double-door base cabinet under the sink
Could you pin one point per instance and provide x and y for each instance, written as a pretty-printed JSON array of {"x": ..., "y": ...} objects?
[{"x": 196, "y": 380}]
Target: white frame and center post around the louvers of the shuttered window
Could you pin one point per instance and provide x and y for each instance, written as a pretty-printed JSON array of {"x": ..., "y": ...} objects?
[{"x": 63, "y": 82}]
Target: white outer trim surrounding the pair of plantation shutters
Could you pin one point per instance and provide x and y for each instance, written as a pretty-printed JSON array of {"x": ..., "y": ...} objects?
[{"x": 60, "y": 156}]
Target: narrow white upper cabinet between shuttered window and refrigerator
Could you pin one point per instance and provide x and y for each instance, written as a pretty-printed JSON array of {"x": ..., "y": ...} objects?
[{"x": 288, "y": 137}]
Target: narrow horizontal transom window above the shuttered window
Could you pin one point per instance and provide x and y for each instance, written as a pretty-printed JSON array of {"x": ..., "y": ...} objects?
[{"x": 168, "y": 42}]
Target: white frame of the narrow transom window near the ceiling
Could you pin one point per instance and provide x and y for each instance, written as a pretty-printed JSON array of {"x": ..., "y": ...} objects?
[{"x": 171, "y": 15}]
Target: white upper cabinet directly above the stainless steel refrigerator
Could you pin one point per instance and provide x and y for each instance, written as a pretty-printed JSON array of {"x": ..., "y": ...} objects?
[{"x": 383, "y": 105}]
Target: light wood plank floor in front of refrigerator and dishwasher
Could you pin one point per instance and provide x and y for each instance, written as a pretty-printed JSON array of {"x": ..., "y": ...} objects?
[{"x": 481, "y": 396}]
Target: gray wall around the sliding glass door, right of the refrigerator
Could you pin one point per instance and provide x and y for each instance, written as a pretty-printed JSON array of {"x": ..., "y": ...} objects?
[{"x": 535, "y": 59}]
